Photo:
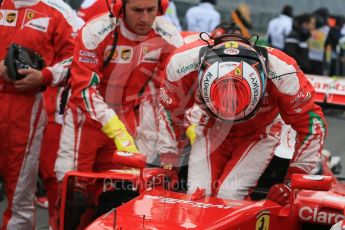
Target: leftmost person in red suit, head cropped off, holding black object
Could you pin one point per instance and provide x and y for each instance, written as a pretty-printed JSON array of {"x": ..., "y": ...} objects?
[{"x": 48, "y": 28}]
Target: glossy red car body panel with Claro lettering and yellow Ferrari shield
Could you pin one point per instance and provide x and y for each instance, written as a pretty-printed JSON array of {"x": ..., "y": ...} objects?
[{"x": 161, "y": 209}]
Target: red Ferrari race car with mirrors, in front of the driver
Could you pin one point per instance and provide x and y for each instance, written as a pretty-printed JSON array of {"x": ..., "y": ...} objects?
[{"x": 146, "y": 199}]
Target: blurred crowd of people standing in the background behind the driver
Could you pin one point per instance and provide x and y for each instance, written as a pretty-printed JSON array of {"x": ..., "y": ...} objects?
[{"x": 315, "y": 38}]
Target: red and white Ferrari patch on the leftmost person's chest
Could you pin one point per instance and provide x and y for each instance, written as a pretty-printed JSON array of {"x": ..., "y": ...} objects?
[{"x": 36, "y": 20}]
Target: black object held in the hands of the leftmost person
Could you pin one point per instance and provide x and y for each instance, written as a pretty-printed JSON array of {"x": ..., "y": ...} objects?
[{"x": 20, "y": 57}]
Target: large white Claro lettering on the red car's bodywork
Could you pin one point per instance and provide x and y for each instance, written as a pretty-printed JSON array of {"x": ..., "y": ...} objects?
[{"x": 314, "y": 215}]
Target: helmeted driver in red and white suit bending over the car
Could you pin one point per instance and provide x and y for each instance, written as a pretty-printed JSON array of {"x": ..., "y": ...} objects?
[{"x": 232, "y": 106}]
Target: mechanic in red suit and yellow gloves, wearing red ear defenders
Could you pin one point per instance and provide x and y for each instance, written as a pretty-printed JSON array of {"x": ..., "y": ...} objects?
[{"x": 113, "y": 84}]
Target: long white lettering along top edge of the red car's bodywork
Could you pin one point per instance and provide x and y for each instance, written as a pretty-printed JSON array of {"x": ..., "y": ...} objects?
[{"x": 192, "y": 203}]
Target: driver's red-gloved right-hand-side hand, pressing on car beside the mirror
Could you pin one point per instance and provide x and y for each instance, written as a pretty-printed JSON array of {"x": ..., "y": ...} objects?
[{"x": 280, "y": 193}]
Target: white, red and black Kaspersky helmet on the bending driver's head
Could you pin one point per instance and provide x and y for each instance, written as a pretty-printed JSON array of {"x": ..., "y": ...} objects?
[{"x": 232, "y": 79}]
